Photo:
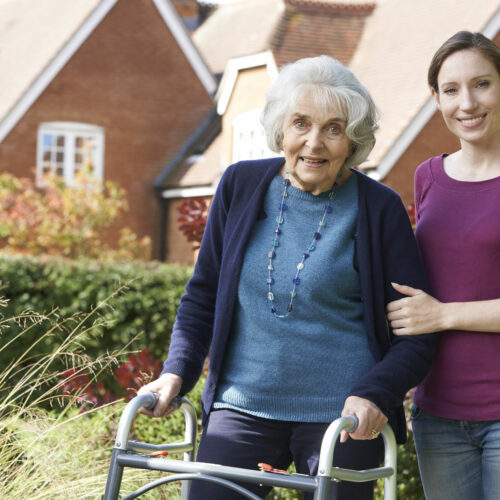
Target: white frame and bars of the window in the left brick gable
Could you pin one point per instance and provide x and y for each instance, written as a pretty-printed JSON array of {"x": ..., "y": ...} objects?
[{"x": 71, "y": 131}]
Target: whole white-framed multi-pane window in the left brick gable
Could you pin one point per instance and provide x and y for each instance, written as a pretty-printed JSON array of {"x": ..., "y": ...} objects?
[{"x": 64, "y": 148}]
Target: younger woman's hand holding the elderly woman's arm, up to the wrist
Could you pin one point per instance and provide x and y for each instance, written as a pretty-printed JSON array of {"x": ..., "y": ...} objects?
[{"x": 415, "y": 314}]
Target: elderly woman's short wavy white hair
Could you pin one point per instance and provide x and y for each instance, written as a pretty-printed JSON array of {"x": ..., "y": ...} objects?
[{"x": 332, "y": 85}]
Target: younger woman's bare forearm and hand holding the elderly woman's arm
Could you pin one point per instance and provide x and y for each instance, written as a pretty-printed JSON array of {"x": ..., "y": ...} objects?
[{"x": 420, "y": 313}]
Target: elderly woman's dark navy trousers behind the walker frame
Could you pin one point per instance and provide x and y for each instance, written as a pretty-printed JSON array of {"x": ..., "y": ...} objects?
[{"x": 242, "y": 440}]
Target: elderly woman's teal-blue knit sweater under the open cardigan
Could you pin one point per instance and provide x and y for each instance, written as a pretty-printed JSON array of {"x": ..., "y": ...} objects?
[{"x": 322, "y": 342}]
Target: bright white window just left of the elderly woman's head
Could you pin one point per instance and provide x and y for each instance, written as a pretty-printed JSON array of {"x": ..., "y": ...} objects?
[{"x": 249, "y": 138}]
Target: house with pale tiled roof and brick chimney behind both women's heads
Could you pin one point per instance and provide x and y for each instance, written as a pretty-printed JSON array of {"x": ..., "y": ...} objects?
[{"x": 387, "y": 43}]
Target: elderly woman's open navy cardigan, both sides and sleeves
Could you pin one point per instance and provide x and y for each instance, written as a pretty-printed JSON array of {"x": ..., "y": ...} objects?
[{"x": 385, "y": 252}]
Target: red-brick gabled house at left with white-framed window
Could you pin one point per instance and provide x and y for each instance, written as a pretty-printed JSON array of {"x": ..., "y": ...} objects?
[{"x": 118, "y": 80}]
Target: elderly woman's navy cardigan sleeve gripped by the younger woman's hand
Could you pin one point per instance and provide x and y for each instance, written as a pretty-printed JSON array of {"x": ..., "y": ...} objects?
[{"x": 404, "y": 360}]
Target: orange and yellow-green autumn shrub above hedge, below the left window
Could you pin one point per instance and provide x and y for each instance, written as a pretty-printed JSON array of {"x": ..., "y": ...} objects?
[{"x": 48, "y": 217}]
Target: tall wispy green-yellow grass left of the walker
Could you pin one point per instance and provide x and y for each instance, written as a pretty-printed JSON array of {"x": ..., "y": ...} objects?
[{"x": 49, "y": 448}]
